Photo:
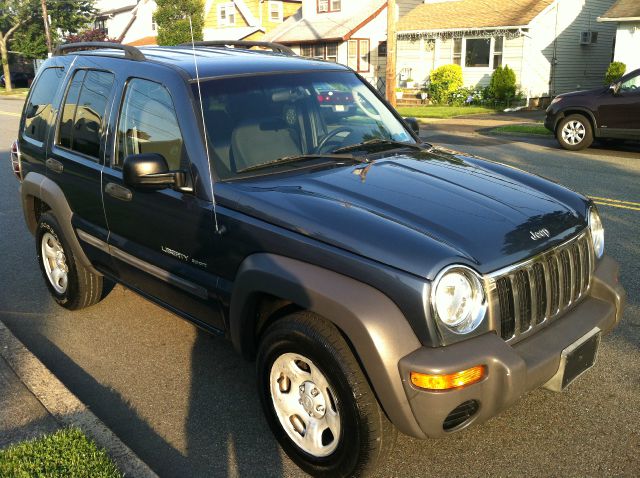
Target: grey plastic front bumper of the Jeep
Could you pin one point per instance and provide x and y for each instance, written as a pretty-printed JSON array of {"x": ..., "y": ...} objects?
[{"x": 511, "y": 370}]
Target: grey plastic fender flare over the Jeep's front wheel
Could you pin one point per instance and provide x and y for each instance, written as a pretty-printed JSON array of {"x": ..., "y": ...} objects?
[{"x": 376, "y": 328}]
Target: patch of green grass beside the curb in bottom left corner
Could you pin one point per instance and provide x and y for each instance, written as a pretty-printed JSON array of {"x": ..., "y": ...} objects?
[{"x": 66, "y": 453}]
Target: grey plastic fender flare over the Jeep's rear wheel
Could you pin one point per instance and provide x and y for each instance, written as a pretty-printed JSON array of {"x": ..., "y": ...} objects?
[{"x": 36, "y": 185}]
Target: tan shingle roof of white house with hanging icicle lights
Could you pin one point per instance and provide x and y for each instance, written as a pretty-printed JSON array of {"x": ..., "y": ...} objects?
[{"x": 464, "y": 14}]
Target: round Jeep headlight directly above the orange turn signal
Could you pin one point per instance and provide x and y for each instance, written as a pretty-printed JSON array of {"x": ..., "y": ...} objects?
[{"x": 458, "y": 299}]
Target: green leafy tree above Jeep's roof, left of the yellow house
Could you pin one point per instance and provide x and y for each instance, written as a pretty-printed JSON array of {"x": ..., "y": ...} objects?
[{"x": 172, "y": 18}]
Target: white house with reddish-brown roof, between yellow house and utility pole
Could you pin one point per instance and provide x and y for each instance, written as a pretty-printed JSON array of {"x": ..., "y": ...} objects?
[{"x": 343, "y": 31}]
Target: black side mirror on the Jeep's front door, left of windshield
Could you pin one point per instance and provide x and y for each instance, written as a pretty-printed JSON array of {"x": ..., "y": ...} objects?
[{"x": 151, "y": 172}]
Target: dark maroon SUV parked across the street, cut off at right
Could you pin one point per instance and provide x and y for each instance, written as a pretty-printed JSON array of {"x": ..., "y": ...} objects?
[{"x": 609, "y": 112}]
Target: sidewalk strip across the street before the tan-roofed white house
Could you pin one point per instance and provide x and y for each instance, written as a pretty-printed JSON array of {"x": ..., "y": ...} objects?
[{"x": 473, "y": 123}]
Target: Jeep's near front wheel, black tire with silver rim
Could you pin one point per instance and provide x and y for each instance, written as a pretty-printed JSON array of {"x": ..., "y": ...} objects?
[{"x": 353, "y": 435}]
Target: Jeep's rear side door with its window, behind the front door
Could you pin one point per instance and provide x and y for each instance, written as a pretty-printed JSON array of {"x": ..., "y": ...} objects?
[{"x": 77, "y": 153}]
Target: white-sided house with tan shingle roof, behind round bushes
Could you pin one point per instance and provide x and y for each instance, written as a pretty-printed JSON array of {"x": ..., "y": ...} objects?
[{"x": 554, "y": 46}]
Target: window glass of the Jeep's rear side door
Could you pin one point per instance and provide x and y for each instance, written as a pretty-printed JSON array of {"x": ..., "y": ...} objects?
[{"x": 83, "y": 111}]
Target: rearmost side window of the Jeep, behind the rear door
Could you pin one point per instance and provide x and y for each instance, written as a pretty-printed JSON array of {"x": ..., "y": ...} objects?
[{"x": 38, "y": 110}]
